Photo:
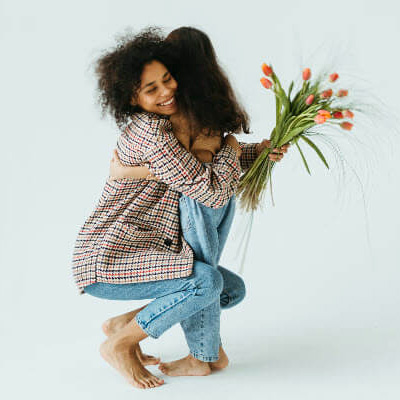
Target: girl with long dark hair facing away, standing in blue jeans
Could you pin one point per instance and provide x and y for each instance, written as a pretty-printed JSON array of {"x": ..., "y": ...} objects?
[{"x": 208, "y": 108}]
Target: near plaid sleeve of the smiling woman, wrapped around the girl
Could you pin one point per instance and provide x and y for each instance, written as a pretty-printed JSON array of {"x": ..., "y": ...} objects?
[{"x": 213, "y": 185}]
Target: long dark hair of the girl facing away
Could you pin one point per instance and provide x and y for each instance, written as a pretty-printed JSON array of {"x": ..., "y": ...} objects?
[{"x": 205, "y": 95}]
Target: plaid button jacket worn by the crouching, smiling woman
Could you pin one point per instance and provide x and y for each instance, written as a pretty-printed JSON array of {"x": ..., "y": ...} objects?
[{"x": 134, "y": 235}]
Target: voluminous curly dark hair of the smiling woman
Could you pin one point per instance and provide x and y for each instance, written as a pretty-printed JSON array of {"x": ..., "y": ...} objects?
[{"x": 119, "y": 71}]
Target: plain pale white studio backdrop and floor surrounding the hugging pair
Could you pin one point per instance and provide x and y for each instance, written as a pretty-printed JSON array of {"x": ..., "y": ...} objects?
[{"x": 321, "y": 317}]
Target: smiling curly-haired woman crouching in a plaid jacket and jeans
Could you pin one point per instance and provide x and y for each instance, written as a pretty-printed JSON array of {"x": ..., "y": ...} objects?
[{"x": 130, "y": 247}]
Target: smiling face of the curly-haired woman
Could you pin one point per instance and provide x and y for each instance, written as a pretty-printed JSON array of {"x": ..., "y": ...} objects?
[{"x": 157, "y": 90}]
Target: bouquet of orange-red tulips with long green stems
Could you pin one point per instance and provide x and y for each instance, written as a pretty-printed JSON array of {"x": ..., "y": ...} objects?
[{"x": 296, "y": 114}]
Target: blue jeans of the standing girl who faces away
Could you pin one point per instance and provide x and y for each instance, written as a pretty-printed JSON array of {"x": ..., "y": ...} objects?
[{"x": 206, "y": 230}]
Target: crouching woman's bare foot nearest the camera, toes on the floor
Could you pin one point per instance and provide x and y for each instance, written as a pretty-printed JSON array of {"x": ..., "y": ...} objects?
[{"x": 119, "y": 354}]
